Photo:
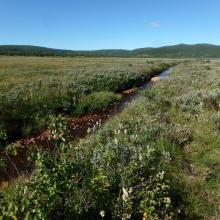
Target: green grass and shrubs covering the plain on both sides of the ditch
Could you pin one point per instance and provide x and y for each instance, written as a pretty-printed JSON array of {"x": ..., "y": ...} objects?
[{"x": 158, "y": 159}]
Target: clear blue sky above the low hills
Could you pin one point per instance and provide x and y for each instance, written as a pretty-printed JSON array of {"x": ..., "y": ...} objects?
[{"x": 98, "y": 24}]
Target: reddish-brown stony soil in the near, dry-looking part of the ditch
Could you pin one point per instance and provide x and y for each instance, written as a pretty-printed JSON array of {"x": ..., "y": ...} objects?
[{"x": 78, "y": 128}]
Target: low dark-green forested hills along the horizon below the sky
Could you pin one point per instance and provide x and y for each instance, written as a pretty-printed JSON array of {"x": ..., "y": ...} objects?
[{"x": 175, "y": 51}]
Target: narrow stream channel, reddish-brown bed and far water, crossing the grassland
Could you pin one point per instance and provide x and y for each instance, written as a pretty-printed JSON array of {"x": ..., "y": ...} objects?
[{"x": 78, "y": 129}]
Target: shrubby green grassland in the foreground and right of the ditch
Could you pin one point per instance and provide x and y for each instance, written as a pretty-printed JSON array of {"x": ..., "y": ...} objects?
[{"x": 159, "y": 159}]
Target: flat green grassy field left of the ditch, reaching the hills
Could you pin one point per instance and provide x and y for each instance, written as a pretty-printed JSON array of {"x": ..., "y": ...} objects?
[{"x": 32, "y": 88}]
